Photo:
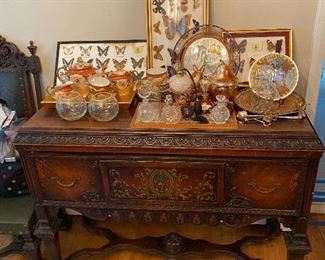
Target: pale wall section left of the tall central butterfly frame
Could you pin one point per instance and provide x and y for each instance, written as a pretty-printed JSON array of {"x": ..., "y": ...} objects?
[{"x": 48, "y": 21}]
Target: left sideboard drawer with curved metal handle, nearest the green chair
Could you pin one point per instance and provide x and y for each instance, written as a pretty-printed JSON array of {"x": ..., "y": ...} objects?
[{"x": 75, "y": 179}]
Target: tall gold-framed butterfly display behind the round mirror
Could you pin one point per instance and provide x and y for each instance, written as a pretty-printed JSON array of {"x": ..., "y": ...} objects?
[{"x": 167, "y": 21}]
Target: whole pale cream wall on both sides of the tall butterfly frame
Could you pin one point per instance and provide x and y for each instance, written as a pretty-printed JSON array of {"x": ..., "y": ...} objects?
[{"x": 49, "y": 21}]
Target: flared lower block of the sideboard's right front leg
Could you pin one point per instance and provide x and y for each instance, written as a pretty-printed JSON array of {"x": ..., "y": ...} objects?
[{"x": 297, "y": 245}]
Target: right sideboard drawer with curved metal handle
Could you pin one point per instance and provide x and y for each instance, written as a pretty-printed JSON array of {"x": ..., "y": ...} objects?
[{"x": 266, "y": 184}]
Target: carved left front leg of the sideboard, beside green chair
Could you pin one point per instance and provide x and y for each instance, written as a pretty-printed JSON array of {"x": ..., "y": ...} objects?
[{"x": 50, "y": 238}]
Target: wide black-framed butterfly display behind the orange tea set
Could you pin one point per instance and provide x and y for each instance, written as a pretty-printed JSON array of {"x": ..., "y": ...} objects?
[{"x": 129, "y": 55}]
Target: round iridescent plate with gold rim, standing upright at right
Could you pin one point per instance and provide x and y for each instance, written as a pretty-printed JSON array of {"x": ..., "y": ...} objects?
[{"x": 273, "y": 76}]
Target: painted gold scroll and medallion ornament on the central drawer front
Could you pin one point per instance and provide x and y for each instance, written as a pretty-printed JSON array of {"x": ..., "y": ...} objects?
[{"x": 163, "y": 184}]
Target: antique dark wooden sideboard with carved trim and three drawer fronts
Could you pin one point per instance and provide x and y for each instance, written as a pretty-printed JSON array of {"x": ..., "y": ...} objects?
[{"x": 109, "y": 170}]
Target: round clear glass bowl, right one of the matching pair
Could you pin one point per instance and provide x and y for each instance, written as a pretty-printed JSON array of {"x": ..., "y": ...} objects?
[{"x": 103, "y": 106}]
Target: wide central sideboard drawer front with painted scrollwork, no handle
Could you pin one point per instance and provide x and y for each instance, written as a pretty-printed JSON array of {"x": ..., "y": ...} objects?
[{"x": 178, "y": 182}]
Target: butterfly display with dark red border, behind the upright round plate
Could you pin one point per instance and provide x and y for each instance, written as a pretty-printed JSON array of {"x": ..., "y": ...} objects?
[{"x": 253, "y": 44}]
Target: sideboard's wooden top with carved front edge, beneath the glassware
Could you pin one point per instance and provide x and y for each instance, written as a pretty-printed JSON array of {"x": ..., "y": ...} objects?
[{"x": 47, "y": 128}]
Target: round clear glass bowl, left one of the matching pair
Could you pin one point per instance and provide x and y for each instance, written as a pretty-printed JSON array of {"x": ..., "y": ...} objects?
[{"x": 71, "y": 106}]
